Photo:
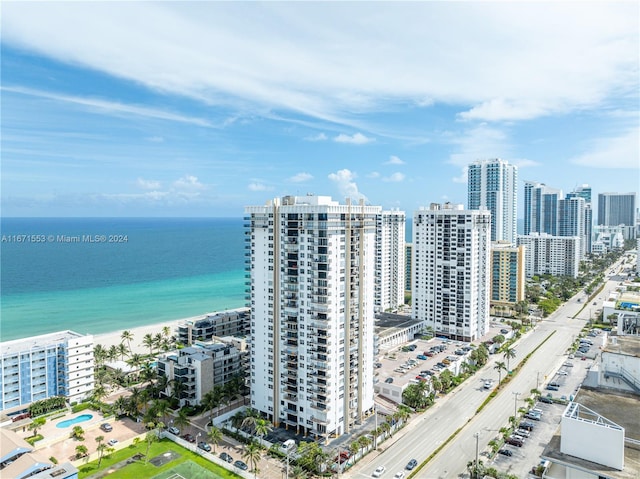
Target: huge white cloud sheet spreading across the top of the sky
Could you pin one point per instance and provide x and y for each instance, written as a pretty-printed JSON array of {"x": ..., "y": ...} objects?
[{"x": 507, "y": 61}]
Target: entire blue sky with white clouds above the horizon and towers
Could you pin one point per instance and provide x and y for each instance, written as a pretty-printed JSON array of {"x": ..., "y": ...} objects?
[{"x": 202, "y": 108}]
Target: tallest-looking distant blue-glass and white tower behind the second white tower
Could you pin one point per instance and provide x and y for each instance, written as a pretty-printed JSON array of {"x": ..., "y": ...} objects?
[{"x": 493, "y": 185}]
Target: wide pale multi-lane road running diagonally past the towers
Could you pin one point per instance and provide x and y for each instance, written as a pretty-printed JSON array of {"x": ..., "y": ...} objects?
[{"x": 427, "y": 432}]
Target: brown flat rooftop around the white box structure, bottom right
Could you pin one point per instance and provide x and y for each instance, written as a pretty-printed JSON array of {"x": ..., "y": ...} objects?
[{"x": 618, "y": 408}]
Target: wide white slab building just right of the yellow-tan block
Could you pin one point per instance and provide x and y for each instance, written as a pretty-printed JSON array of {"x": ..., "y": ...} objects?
[{"x": 547, "y": 254}]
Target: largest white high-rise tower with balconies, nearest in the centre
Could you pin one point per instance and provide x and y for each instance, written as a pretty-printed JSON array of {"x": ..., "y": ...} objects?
[{"x": 312, "y": 279}]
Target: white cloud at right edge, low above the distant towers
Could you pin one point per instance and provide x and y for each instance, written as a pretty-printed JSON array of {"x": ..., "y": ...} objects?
[{"x": 618, "y": 152}]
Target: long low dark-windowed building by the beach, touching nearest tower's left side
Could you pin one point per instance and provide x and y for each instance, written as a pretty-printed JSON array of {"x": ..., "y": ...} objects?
[{"x": 215, "y": 325}]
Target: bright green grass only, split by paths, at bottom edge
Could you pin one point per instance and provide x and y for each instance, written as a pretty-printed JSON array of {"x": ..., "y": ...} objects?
[{"x": 138, "y": 469}]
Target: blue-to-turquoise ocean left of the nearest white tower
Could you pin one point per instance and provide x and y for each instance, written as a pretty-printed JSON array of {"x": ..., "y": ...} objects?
[{"x": 98, "y": 275}]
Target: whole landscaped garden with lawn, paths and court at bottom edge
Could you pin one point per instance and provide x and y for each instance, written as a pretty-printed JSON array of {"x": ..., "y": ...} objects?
[{"x": 164, "y": 458}]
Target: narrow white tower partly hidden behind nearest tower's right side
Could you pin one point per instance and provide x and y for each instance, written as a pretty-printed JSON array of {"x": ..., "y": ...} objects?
[{"x": 389, "y": 265}]
